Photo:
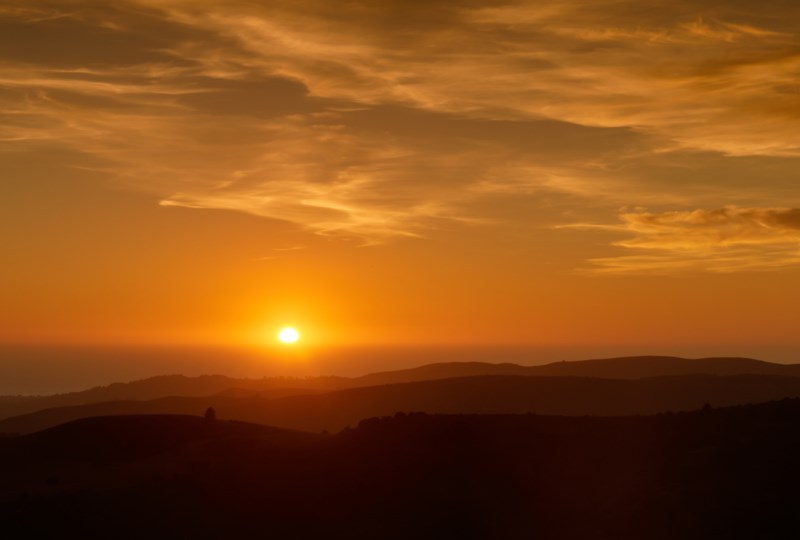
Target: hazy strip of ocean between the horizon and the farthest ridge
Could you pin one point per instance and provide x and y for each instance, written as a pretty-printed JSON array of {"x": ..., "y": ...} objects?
[{"x": 31, "y": 369}]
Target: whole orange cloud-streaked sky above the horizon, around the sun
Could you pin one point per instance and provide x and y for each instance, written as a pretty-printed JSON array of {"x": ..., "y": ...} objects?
[{"x": 613, "y": 173}]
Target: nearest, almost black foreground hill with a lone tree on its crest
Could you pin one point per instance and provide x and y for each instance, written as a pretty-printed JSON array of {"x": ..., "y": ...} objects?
[{"x": 721, "y": 473}]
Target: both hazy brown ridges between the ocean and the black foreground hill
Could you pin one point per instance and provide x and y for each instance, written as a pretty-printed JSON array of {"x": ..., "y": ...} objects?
[{"x": 615, "y": 386}]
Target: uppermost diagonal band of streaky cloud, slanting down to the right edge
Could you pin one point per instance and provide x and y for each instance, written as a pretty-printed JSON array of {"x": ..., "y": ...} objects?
[{"x": 667, "y": 71}]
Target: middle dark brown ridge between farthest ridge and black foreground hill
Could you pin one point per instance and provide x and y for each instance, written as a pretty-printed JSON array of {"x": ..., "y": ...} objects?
[{"x": 333, "y": 411}]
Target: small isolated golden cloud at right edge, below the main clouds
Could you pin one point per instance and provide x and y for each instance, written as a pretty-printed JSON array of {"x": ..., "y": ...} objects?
[{"x": 729, "y": 239}]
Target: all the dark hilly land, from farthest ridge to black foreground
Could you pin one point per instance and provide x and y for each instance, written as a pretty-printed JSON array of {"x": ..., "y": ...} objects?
[{"x": 626, "y": 448}]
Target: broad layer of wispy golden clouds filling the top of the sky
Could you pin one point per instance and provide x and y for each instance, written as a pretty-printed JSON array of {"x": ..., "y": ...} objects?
[{"x": 297, "y": 111}]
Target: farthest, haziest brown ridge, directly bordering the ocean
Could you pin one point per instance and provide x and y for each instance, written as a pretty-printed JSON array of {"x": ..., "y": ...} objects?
[{"x": 207, "y": 385}]
